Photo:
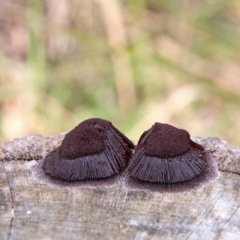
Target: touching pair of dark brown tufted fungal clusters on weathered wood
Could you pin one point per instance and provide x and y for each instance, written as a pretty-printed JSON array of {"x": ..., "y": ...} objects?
[{"x": 95, "y": 149}]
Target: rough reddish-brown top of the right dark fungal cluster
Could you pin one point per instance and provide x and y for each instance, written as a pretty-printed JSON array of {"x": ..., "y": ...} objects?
[{"x": 167, "y": 141}]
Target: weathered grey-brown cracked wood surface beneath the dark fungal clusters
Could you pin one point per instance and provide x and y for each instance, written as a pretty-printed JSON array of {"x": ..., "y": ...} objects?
[{"x": 31, "y": 210}]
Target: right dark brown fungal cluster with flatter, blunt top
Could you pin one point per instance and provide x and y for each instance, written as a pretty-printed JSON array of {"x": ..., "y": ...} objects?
[{"x": 166, "y": 154}]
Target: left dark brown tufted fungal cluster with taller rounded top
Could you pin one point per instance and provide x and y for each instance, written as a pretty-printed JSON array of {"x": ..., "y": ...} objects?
[{"x": 92, "y": 150}]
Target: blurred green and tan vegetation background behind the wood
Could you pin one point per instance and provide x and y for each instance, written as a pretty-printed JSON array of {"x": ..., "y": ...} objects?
[{"x": 133, "y": 63}]
